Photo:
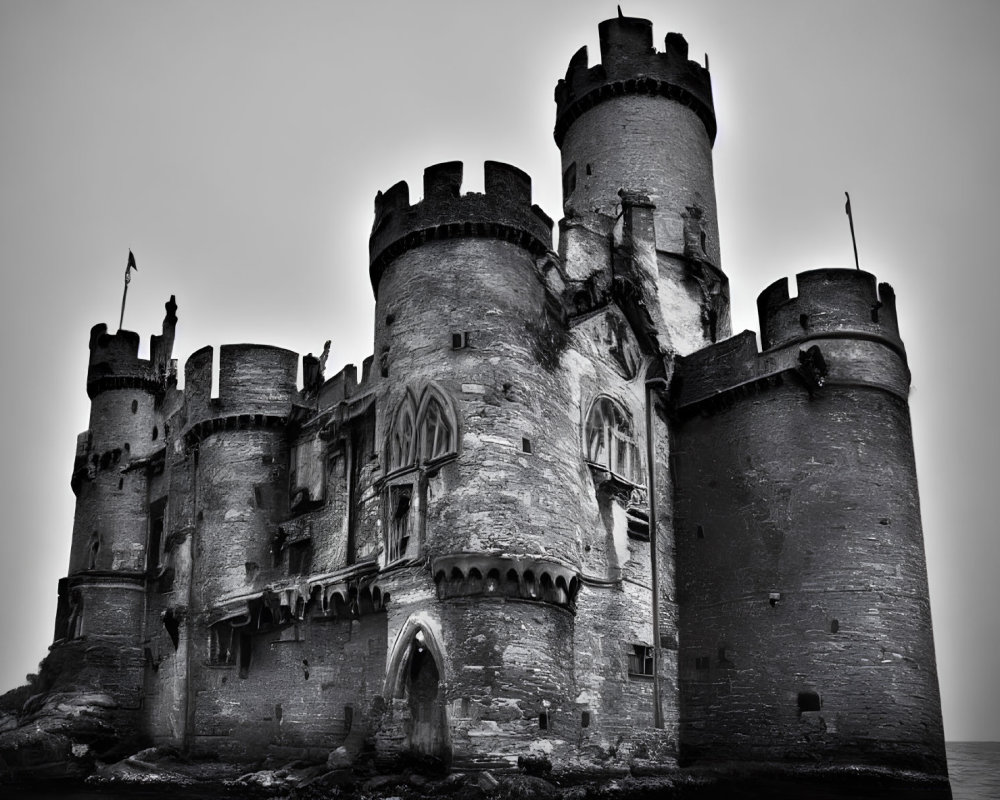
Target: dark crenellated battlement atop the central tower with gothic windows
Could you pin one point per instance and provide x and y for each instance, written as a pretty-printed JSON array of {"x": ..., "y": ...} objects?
[{"x": 504, "y": 211}]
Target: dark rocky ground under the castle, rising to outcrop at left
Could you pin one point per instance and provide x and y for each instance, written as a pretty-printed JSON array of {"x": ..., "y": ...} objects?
[{"x": 69, "y": 740}]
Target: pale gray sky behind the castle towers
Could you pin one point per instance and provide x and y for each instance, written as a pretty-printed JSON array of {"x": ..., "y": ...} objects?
[{"x": 236, "y": 148}]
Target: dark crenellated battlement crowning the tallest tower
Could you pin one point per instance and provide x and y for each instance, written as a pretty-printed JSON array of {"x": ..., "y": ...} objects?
[{"x": 630, "y": 65}]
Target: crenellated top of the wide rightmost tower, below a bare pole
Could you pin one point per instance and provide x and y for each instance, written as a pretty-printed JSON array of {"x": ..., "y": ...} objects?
[{"x": 830, "y": 302}]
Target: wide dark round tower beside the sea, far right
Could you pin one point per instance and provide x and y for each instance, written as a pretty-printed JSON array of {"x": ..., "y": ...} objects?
[{"x": 804, "y": 607}]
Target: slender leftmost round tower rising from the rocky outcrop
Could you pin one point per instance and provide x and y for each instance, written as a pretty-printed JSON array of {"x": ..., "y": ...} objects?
[{"x": 102, "y": 599}]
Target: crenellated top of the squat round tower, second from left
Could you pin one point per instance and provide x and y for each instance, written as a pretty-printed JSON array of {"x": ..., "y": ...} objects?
[{"x": 255, "y": 381}]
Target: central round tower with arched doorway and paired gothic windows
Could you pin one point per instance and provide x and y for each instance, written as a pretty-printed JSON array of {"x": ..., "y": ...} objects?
[{"x": 480, "y": 460}]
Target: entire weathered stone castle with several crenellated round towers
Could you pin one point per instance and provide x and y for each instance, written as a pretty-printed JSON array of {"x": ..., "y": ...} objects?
[{"x": 562, "y": 513}]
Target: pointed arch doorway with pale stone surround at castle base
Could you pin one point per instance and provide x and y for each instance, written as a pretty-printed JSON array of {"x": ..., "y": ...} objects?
[{"x": 416, "y": 676}]
